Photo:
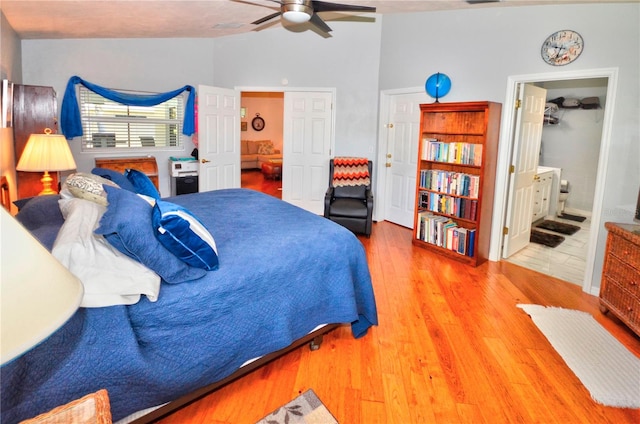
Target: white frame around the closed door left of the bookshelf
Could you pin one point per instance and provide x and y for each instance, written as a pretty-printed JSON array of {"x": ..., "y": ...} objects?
[{"x": 381, "y": 159}]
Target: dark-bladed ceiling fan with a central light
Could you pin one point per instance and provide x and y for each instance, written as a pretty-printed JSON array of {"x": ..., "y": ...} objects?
[{"x": 300, "y": 11}]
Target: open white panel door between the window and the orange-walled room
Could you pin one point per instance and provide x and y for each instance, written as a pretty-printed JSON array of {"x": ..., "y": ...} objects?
[{"x": 219, "y": 138}]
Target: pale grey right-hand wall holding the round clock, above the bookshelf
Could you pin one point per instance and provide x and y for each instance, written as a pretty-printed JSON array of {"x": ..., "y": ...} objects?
[{"x": 479, "y": 49}]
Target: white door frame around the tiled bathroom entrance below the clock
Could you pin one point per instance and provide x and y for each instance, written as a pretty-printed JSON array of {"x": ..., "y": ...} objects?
[{"x": 506, "y": 150}]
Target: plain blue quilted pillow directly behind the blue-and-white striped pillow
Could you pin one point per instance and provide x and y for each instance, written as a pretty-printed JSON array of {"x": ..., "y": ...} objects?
[{"x": 127, "y": 226}]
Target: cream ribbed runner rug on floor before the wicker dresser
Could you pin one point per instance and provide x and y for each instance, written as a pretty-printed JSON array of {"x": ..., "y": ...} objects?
[{"x": 605, "y": 367}]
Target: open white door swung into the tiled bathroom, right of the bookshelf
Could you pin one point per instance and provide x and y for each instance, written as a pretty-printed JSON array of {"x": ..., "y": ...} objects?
[{"x": 528, "y": 133}]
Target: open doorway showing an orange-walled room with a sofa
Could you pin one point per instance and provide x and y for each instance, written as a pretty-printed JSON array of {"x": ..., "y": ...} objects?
[{"x": 261, "y": 139}]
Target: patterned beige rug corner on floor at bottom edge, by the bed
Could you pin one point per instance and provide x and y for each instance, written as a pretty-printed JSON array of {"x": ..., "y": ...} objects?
[{"x": 305, "y": 409}]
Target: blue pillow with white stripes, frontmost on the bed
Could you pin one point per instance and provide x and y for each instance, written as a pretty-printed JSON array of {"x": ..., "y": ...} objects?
[{"x": 184, "y": 235}]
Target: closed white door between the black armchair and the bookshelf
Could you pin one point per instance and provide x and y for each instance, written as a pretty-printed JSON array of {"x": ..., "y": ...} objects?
[{"x": 403, "y": 134}]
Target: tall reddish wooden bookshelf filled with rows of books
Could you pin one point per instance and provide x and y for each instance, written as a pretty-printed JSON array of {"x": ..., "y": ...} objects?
[{"x": 457, "y": 158}]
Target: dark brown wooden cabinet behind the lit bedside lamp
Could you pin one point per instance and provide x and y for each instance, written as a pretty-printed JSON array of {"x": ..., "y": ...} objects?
[{"x": 34, "y": 109}]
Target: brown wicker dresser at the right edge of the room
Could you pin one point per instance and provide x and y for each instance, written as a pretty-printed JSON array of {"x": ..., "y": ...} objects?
[{"x": 620, "y": 285}]
